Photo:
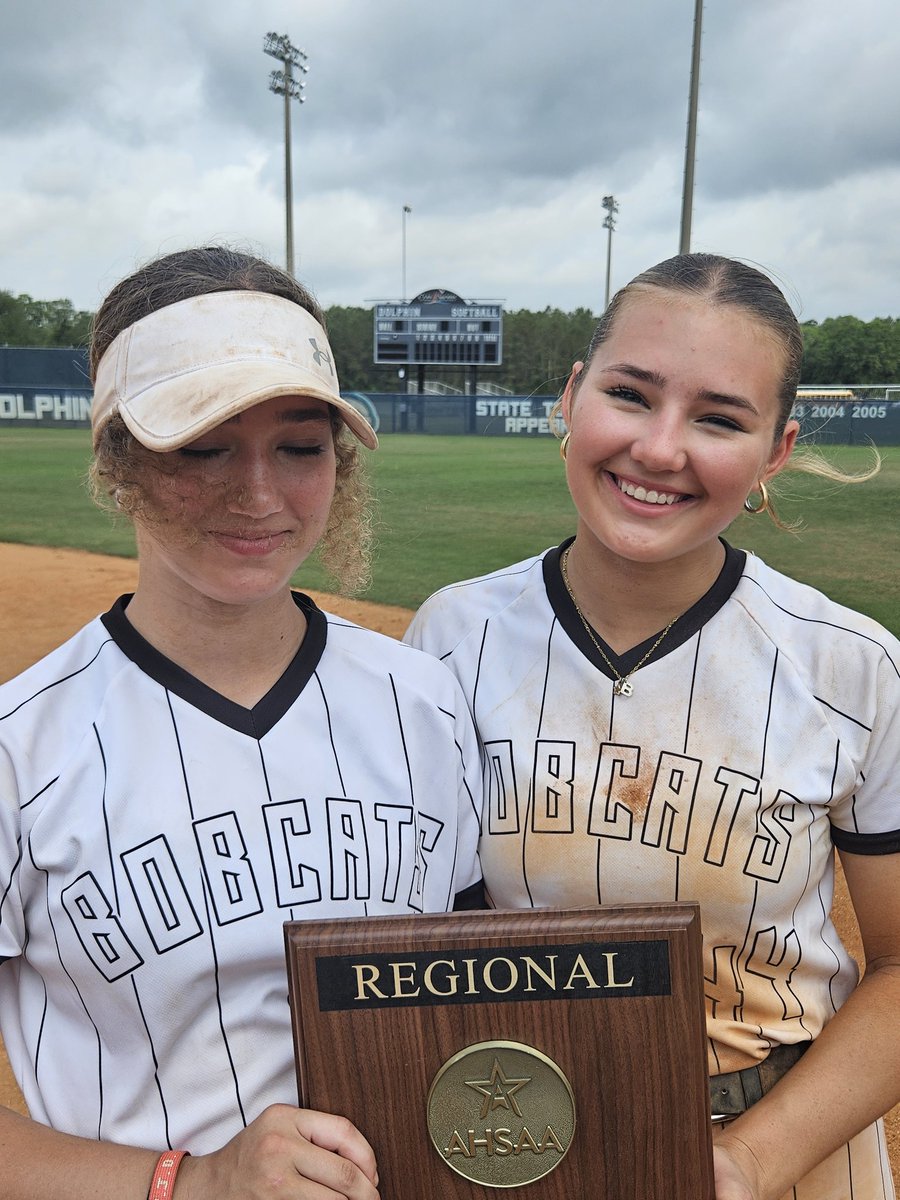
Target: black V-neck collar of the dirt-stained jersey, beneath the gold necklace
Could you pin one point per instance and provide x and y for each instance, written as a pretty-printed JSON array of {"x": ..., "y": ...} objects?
[{"x": 682, "y": 632}]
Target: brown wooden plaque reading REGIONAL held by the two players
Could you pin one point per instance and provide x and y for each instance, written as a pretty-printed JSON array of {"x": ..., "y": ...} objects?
[{"x": 537, "y": 1054}]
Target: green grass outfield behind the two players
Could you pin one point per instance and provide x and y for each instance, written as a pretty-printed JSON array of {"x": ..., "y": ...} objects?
[{"x": 452, "y": 508}]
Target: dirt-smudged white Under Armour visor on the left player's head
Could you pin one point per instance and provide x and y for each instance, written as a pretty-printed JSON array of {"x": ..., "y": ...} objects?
[{"x": 185, "y": 369}]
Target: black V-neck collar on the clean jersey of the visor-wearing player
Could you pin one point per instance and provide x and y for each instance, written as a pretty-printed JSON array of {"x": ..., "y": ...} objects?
[{"x": 254, "y": 722}]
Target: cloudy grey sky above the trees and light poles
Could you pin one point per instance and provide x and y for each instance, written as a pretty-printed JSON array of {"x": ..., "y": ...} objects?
[{"x": 133, "y": 129}]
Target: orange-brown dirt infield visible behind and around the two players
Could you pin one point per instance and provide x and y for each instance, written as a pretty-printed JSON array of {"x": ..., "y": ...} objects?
[{"x": 46, "y": 596}]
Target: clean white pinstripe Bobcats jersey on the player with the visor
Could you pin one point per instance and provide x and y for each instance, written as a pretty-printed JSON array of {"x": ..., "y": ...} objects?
[{"x": 154, "y": 838}]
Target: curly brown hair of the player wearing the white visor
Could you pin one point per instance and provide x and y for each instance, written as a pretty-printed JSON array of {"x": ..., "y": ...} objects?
[{"x": 118, "y": 472}]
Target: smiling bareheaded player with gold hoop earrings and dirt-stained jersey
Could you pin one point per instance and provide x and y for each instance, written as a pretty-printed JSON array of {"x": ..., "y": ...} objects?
[{"x": 665, "y": 718}]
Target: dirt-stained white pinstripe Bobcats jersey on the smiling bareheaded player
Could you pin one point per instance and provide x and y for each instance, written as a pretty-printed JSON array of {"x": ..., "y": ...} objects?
[{"x": 764, "y": 731}]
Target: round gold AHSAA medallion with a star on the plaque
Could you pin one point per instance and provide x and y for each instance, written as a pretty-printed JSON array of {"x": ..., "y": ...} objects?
[{"x": 501, "y": 1114}]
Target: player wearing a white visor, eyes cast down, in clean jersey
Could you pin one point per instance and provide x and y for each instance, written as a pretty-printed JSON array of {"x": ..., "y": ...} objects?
[{"x": 209, "y": 759}]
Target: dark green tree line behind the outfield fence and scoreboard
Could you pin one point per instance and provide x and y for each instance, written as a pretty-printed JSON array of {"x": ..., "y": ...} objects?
[{"x": 538, "y": 347}]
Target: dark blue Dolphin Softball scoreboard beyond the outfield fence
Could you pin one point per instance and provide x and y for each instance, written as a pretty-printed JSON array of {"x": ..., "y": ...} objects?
[{"x": 440, "y": 328}]
